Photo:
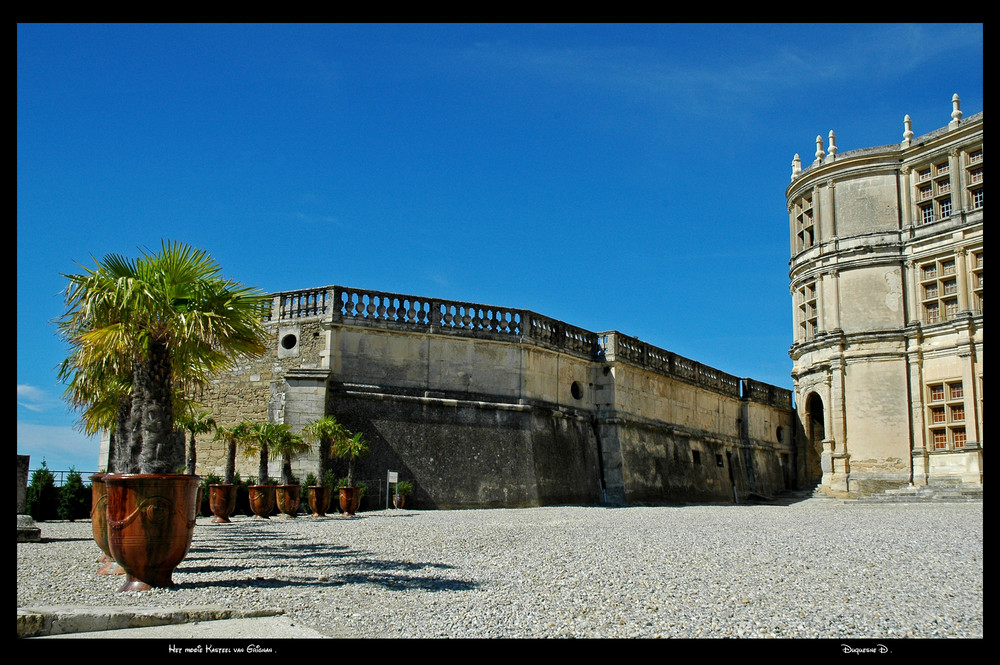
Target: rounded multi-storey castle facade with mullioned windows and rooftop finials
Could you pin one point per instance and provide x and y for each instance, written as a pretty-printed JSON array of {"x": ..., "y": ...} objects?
[{"x": 886, "y": 278}]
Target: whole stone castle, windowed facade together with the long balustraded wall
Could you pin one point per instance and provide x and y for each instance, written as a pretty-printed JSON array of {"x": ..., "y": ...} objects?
[{"x": 483, "y": 406}]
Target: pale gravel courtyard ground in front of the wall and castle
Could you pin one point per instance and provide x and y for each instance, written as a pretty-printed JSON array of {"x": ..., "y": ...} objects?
[{"x": 813, "y": 569}]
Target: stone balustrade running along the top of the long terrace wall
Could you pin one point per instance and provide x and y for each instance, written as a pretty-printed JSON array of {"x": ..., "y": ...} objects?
[{"x": 434, "y": 315}]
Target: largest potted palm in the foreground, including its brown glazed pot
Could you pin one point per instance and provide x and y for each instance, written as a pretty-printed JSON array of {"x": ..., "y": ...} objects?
[{"x": 140, "y": 330}]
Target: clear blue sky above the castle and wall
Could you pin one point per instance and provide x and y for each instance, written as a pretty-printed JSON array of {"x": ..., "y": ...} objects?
[{"x": 616, "y": 177}]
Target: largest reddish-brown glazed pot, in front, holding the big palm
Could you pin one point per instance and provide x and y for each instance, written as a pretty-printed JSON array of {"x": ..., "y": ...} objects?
[{"x": 151, "y": 519}]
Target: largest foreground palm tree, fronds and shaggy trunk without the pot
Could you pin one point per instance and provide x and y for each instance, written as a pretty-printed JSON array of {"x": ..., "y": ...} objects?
[{"x": 164, "y": 322}]
